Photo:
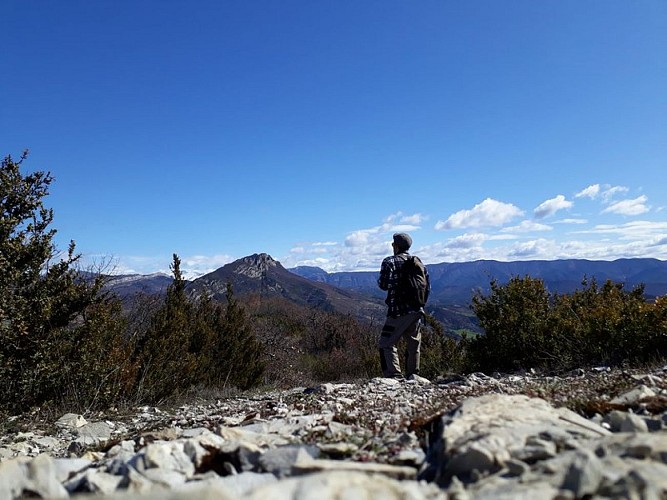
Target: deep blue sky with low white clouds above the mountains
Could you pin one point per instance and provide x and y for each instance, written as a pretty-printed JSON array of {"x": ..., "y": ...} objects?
[{"x": 488, "y": 129}]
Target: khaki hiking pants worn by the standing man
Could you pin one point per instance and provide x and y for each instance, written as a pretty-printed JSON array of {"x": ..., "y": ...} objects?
[{"x": 408, "y": 327}]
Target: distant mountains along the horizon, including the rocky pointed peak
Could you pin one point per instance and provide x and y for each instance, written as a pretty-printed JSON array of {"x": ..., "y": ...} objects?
[{"x": 357, "y": 294}]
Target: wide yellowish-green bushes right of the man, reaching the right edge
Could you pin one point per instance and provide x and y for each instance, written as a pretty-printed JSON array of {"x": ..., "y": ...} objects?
[{"x": 527, "y": 327}]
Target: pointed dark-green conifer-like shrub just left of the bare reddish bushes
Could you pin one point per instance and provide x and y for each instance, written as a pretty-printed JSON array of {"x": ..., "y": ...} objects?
[{"x": 196, "y": 342}]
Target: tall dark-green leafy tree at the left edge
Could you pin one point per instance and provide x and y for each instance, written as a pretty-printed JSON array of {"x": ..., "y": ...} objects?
[{"x": 46, "y": 306}]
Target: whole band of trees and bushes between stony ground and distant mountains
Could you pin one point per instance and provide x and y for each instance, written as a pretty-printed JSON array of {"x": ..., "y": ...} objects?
[{"x": 65, "y": 342}]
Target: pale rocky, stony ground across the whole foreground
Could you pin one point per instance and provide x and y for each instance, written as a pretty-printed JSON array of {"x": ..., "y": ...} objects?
[{"x": 588, "y": 434}]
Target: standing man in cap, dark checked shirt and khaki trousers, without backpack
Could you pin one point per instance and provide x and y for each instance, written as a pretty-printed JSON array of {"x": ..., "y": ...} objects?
[{"x": 403, "y": 320}]
